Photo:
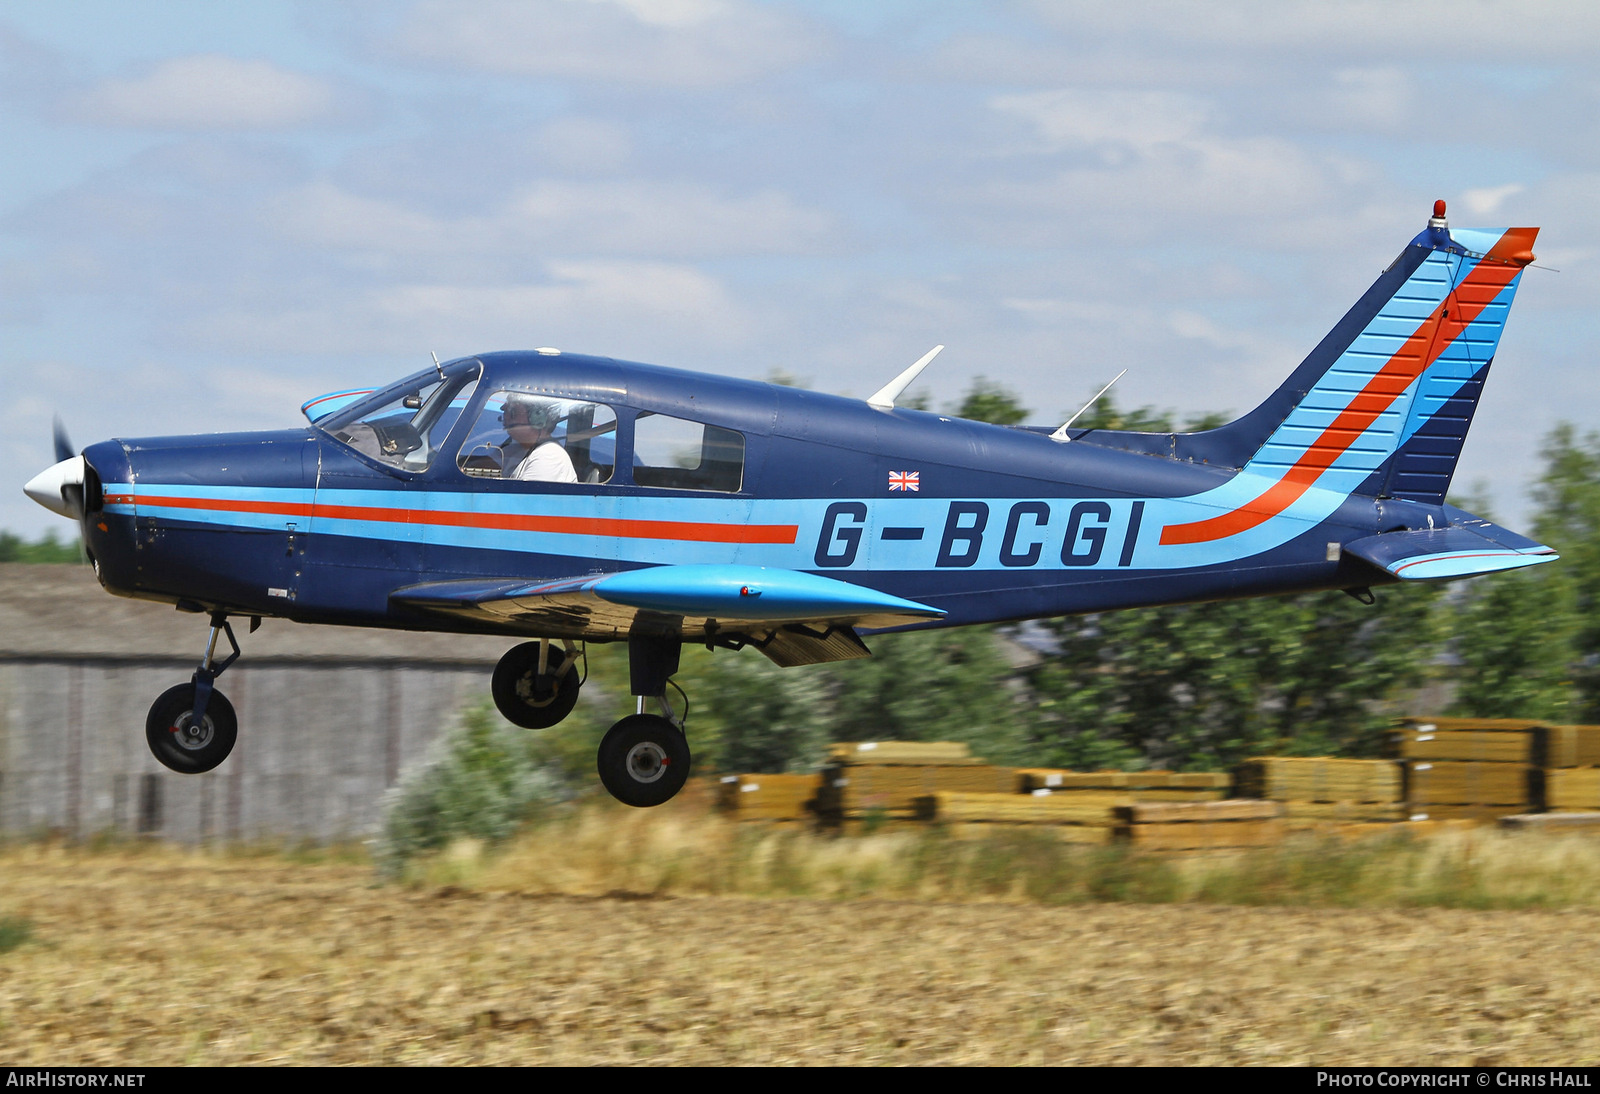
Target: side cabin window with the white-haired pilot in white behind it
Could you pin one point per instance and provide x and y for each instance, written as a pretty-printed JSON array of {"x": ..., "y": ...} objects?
[{"x": 529, "y": 439}]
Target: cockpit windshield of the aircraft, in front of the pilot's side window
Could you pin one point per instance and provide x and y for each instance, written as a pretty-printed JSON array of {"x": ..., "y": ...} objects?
[{"x": 406, "y": 425}]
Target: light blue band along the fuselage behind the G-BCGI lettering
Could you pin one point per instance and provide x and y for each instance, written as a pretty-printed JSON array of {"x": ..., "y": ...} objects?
[{"x": 881, "y": 541}]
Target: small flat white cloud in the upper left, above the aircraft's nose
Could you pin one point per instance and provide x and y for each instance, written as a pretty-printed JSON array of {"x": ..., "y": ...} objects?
[{"x": 209, "y": 92}]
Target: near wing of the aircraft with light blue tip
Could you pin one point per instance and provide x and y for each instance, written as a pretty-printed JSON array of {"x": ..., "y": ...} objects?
[{"x": 793, "y": 617}]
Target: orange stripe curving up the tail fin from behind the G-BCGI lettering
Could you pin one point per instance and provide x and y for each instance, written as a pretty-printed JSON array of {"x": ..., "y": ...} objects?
[{"x": 1438, "y": 332}]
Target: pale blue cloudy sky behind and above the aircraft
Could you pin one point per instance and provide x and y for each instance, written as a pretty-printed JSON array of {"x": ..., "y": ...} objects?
[{"x": 212, "y": 214}]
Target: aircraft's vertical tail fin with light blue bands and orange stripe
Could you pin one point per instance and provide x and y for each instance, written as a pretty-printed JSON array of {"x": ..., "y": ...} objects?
[{"x": 1385, "y": 402}]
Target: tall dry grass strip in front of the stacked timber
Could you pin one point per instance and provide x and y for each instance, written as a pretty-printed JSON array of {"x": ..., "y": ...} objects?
[{"x": 682, "y": 852}]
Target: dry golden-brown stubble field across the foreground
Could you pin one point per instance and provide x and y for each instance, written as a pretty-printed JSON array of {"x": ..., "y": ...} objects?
[{"x": 153, "y": 959}]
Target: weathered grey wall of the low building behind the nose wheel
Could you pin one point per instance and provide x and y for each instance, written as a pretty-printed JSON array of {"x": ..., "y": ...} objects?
[{"x": 319, "y": 743}]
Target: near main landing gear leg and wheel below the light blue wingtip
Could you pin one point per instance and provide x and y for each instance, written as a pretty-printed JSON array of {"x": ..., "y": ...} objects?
[{"x": 646, "y": 759}]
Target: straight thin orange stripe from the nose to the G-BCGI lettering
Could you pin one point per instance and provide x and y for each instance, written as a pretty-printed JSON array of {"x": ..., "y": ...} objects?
[{"x": 617, "y": 529}]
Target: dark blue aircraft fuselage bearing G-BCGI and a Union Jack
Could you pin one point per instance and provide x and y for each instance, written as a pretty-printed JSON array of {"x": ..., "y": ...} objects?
[{"x": 988, "y": 524}]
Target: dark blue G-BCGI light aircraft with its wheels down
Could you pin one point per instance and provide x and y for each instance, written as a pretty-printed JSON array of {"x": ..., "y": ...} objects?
[{"x": 567, "y": 500}]
